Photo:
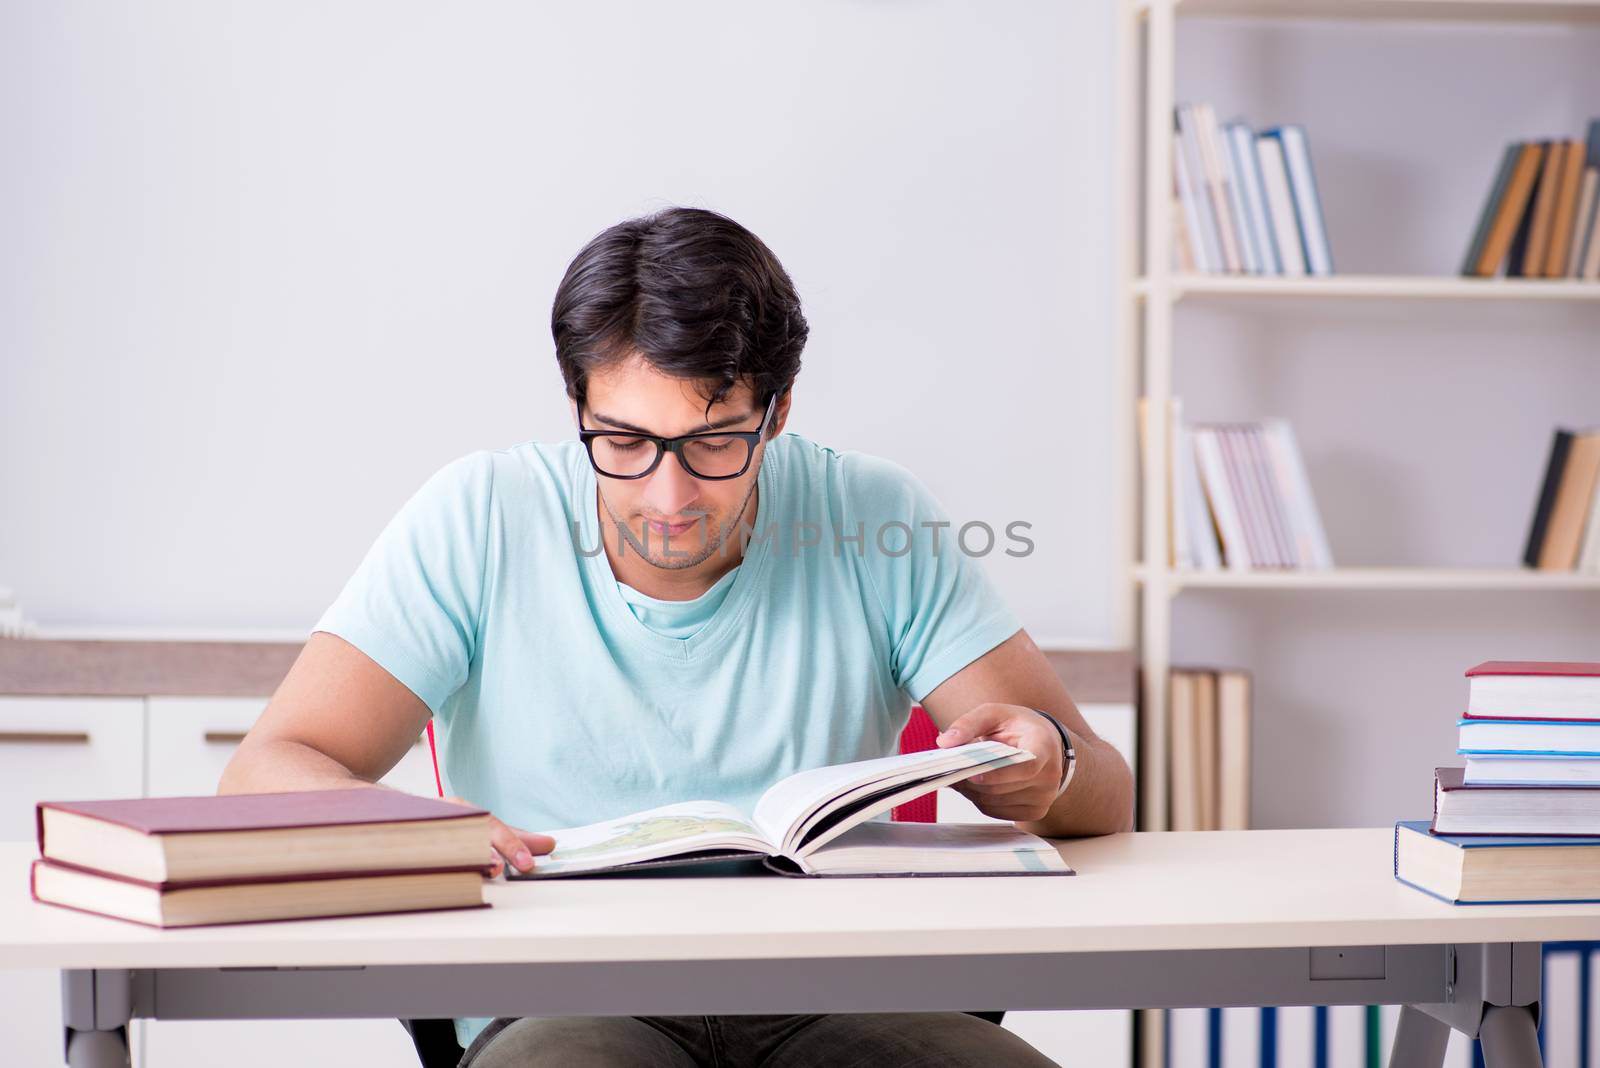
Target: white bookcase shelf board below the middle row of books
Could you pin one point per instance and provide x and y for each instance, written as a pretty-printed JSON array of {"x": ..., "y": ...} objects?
[{"x": 1441, "y": 580}]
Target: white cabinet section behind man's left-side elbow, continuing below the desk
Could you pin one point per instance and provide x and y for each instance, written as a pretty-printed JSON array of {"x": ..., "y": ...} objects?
[{"x": 190, "y": 746}]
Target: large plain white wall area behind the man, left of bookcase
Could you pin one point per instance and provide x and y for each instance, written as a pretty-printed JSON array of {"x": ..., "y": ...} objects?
[{"x": 268, "y": 266}]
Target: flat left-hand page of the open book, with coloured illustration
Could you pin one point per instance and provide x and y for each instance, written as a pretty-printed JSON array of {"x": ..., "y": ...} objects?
[{"x": 650, "y": 835}]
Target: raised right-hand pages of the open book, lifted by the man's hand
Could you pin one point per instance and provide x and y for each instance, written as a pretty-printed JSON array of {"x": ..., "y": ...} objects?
[{"x": 790, "y": 805}]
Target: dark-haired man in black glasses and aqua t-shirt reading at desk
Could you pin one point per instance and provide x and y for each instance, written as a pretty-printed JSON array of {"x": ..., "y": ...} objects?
[{"x": 684, "y": 604}]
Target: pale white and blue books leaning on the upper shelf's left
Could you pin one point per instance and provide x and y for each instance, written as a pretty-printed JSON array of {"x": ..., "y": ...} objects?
[{"x": 1246, "y": 202}]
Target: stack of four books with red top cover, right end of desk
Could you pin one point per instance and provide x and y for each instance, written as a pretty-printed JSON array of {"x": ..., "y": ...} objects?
[{"x": 1522, "y": 821}]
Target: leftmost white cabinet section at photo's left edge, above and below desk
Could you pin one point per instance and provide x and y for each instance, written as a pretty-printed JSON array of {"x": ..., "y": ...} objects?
[{"x": 57, "y": 749}]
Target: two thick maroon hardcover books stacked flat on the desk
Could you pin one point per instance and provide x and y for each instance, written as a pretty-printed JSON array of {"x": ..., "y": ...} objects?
[{"x": 249, "y": 858}]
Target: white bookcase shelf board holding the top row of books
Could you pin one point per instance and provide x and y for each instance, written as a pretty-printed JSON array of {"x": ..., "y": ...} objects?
[{"x": 1375, "y": 287}]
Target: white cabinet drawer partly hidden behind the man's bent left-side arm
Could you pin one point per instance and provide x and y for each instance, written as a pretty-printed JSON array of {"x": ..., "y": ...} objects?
[{"x": 193, "y": 739}]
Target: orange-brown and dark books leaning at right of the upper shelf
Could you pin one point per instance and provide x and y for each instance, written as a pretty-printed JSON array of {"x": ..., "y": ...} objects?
[{"x": 1543, "y": 213}]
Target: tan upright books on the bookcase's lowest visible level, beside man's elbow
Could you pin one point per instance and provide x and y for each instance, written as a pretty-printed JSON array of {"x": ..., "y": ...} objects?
[{"x": 1209, "y": 751}]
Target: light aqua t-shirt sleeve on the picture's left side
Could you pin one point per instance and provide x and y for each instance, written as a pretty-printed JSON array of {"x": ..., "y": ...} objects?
[{"x": 414, "y": 604}]
